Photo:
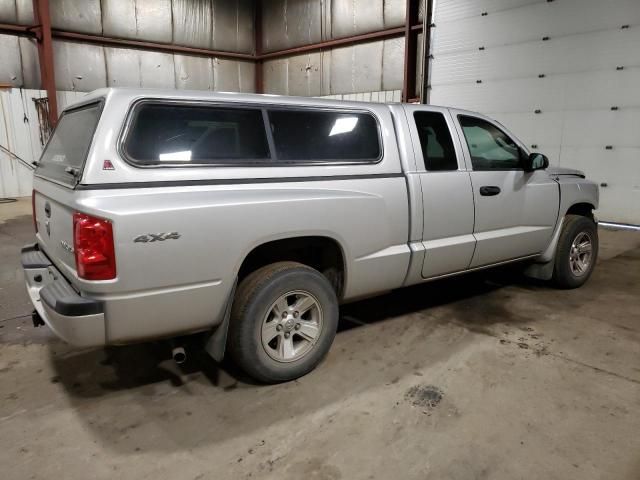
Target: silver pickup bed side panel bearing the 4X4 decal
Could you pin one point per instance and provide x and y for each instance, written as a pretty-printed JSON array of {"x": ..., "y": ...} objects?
[{"x": 182, "y": 284}]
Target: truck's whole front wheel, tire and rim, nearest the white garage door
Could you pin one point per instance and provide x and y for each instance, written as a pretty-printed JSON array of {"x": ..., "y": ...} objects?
[{"x": 576, "y": 253}]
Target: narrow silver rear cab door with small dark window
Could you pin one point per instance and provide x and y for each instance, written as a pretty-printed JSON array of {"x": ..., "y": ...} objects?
[{"x": 447, "y": 195}]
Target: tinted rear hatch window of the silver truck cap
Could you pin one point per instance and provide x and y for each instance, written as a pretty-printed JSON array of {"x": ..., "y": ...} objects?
[{"x": 66, "y": 151}]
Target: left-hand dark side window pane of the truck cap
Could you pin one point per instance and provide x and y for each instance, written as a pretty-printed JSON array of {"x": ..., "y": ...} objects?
[{"x": 163, "y": 134}]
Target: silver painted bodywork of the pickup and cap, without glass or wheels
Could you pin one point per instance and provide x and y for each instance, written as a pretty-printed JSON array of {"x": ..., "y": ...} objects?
[{"x": 396, "y": 223}]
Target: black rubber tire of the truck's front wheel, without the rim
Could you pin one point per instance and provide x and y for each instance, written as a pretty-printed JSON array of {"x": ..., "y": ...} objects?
[{"x": 563, "y": 277}]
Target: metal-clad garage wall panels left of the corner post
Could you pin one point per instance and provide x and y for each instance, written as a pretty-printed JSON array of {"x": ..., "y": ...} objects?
[{"x": 80, "y": 67}]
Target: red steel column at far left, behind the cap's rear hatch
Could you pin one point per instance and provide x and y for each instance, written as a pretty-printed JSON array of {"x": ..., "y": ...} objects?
[{"x": 45, "y": 55}]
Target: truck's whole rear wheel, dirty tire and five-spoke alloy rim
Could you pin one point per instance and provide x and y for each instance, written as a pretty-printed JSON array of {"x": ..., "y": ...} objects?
[{"x": 283, "y": 322}]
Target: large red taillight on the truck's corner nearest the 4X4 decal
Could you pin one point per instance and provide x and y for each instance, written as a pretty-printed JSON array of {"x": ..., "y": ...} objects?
[{"x": 93, "y": 246}]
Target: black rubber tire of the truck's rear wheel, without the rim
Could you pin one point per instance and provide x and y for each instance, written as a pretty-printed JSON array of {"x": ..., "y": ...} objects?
[{"x": 254, "y": 296}]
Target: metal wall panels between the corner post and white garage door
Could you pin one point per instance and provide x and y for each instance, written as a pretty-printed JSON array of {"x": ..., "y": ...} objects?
[{"x": 369, "y": 67}]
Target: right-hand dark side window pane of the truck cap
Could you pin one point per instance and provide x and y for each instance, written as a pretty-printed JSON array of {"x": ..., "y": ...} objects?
[{"x": 308, "y": 135}]
